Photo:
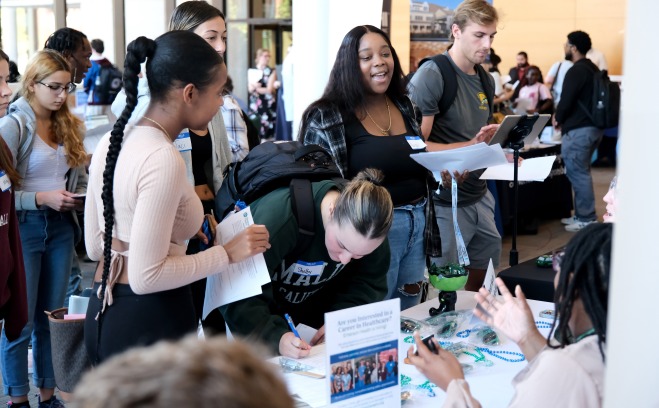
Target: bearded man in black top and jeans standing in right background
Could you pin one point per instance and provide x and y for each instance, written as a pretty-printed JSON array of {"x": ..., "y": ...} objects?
[{"x": 580, "y": 136}]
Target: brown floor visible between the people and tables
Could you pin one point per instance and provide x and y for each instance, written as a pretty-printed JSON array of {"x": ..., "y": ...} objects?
[{"x": 551, "y": 234}]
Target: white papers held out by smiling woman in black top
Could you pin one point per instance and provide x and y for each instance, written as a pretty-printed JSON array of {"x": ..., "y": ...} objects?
[{"x": 470, "y": 158}]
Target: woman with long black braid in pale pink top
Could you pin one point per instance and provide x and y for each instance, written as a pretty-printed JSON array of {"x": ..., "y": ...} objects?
[{"x": 140, "y": 209}]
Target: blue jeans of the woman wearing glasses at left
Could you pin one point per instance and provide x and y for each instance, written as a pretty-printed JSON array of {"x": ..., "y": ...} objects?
[{"x": 47, "y": 239}]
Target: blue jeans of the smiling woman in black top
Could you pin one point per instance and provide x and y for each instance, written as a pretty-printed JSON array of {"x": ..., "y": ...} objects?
[{"x": 408, "y": 258}]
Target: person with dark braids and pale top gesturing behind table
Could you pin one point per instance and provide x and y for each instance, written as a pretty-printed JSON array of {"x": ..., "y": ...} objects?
[{"x": 572, "y": 361}]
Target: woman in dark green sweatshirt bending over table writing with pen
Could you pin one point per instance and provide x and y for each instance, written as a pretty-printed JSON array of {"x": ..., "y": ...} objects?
[{"x": 345, "y": 265}]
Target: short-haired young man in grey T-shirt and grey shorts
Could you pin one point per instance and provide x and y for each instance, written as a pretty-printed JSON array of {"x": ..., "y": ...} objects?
[{"x": 464, "y": 123}]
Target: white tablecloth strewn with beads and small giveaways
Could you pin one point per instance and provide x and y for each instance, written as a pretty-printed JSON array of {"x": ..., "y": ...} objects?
[{"x": 490, "y": 385}]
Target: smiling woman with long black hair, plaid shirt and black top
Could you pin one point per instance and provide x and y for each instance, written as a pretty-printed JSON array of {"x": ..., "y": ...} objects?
[{"x": 365, "y": 119}]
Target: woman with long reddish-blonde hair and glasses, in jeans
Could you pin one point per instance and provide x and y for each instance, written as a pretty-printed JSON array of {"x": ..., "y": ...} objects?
[{"x": 45, "y": 140}]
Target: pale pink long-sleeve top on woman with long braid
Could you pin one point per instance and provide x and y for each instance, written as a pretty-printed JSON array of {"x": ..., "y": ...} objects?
[{"x": 156, "y": 211}]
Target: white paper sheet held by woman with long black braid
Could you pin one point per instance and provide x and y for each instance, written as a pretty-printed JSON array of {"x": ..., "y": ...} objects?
[{"x": 240, "y": 280}]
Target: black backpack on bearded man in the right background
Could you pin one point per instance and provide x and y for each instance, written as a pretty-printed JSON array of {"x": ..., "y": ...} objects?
[{"x": 605, "y": 102}]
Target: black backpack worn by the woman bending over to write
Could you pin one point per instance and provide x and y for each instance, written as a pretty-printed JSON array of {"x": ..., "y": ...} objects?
[{"x": 274, "y": 165}]
